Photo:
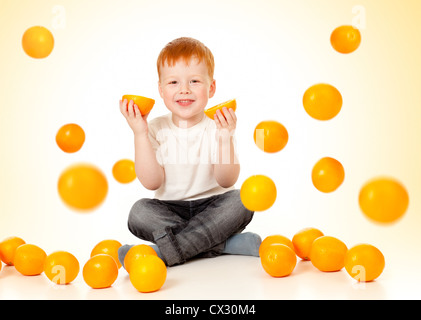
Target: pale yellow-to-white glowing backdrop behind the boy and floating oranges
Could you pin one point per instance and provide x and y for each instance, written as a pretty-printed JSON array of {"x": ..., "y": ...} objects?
[{"x": 267, "y": 54}]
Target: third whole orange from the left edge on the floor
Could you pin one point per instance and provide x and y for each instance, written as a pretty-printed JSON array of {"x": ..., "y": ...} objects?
[{"x": 61, "y": 267}]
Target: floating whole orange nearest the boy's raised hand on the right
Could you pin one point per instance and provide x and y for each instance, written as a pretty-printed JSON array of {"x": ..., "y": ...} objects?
[{"x": 270, "y": 136}]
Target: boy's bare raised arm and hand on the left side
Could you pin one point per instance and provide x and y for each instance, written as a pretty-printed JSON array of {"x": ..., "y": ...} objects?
[{"x": 147, "y": 168}]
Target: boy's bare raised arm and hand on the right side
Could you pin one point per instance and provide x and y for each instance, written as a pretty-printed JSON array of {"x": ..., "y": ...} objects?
[{"x": 227, "y": 169}]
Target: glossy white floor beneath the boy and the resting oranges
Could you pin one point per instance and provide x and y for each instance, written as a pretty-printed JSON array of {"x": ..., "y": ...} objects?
[{"x": 226, "y": 277}]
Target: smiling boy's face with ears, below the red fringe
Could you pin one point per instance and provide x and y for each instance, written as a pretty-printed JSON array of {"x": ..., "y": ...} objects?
[{"x": 186, "y": 90}]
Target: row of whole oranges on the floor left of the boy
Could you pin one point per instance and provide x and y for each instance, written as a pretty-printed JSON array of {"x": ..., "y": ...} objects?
[{"x": 147, "y": 272}]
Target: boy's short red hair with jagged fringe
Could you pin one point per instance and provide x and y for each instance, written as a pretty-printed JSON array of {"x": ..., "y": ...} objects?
[{"x": 186, "y": 49}]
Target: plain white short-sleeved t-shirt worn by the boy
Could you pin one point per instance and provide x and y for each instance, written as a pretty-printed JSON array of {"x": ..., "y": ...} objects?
[{"x": 188, "y": 156}]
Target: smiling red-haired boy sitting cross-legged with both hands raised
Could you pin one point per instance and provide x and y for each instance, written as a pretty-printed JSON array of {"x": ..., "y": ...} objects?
[{"x": 190, "y": 162}]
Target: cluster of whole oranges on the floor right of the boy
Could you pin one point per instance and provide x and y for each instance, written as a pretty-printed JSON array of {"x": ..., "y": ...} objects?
[{"x": 362, "y": 262}]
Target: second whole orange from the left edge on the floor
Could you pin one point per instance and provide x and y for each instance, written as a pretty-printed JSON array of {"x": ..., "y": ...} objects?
[{"x": 29, "y": 260}]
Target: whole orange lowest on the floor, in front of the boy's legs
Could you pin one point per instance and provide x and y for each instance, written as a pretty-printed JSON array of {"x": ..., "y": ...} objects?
[{"x": 148, "y": 274}]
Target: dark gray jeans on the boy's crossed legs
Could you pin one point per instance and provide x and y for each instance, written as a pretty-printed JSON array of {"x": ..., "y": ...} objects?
[{"x": 186, "y": 229}]
